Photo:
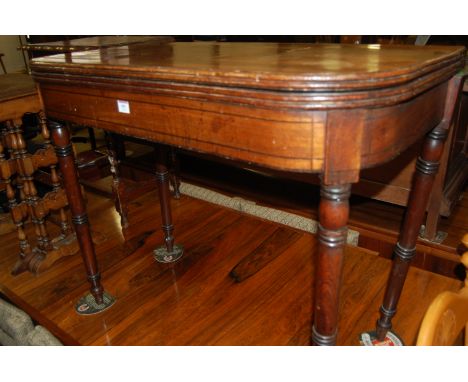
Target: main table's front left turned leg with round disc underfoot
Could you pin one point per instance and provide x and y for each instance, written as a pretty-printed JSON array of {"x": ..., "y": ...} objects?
[{"x": 98, "y": 300}]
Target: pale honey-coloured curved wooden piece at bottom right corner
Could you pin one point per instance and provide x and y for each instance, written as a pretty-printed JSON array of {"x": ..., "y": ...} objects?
[{"x": 447, "y": 316}]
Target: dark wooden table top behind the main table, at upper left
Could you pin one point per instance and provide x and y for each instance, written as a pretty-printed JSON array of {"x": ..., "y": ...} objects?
[{"x": 89, "y": 43}]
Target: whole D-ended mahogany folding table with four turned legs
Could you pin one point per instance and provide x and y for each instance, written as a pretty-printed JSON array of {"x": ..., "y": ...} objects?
[{"x": 330, "y": 109}]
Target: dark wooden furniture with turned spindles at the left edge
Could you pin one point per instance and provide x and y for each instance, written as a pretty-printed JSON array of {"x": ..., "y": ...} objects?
[{"x": 18, "y": 95}]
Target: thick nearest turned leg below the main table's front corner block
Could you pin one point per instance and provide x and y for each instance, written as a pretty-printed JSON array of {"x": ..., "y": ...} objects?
[{"x": 332, "y": 233}]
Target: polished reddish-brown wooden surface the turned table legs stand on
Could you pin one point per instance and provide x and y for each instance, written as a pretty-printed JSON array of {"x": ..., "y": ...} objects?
[{"x": 196, "y": 301}]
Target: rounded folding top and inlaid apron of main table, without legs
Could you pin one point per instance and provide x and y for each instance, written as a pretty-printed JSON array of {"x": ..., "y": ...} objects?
[{"x": 274, "y": 104}]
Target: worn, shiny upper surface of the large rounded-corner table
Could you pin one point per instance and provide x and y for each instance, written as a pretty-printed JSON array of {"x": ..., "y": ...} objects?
[{"x": 264, "y": 65}]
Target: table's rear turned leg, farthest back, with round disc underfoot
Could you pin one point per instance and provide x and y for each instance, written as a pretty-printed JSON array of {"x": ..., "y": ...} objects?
[{"x": 169, "y": 252}]
